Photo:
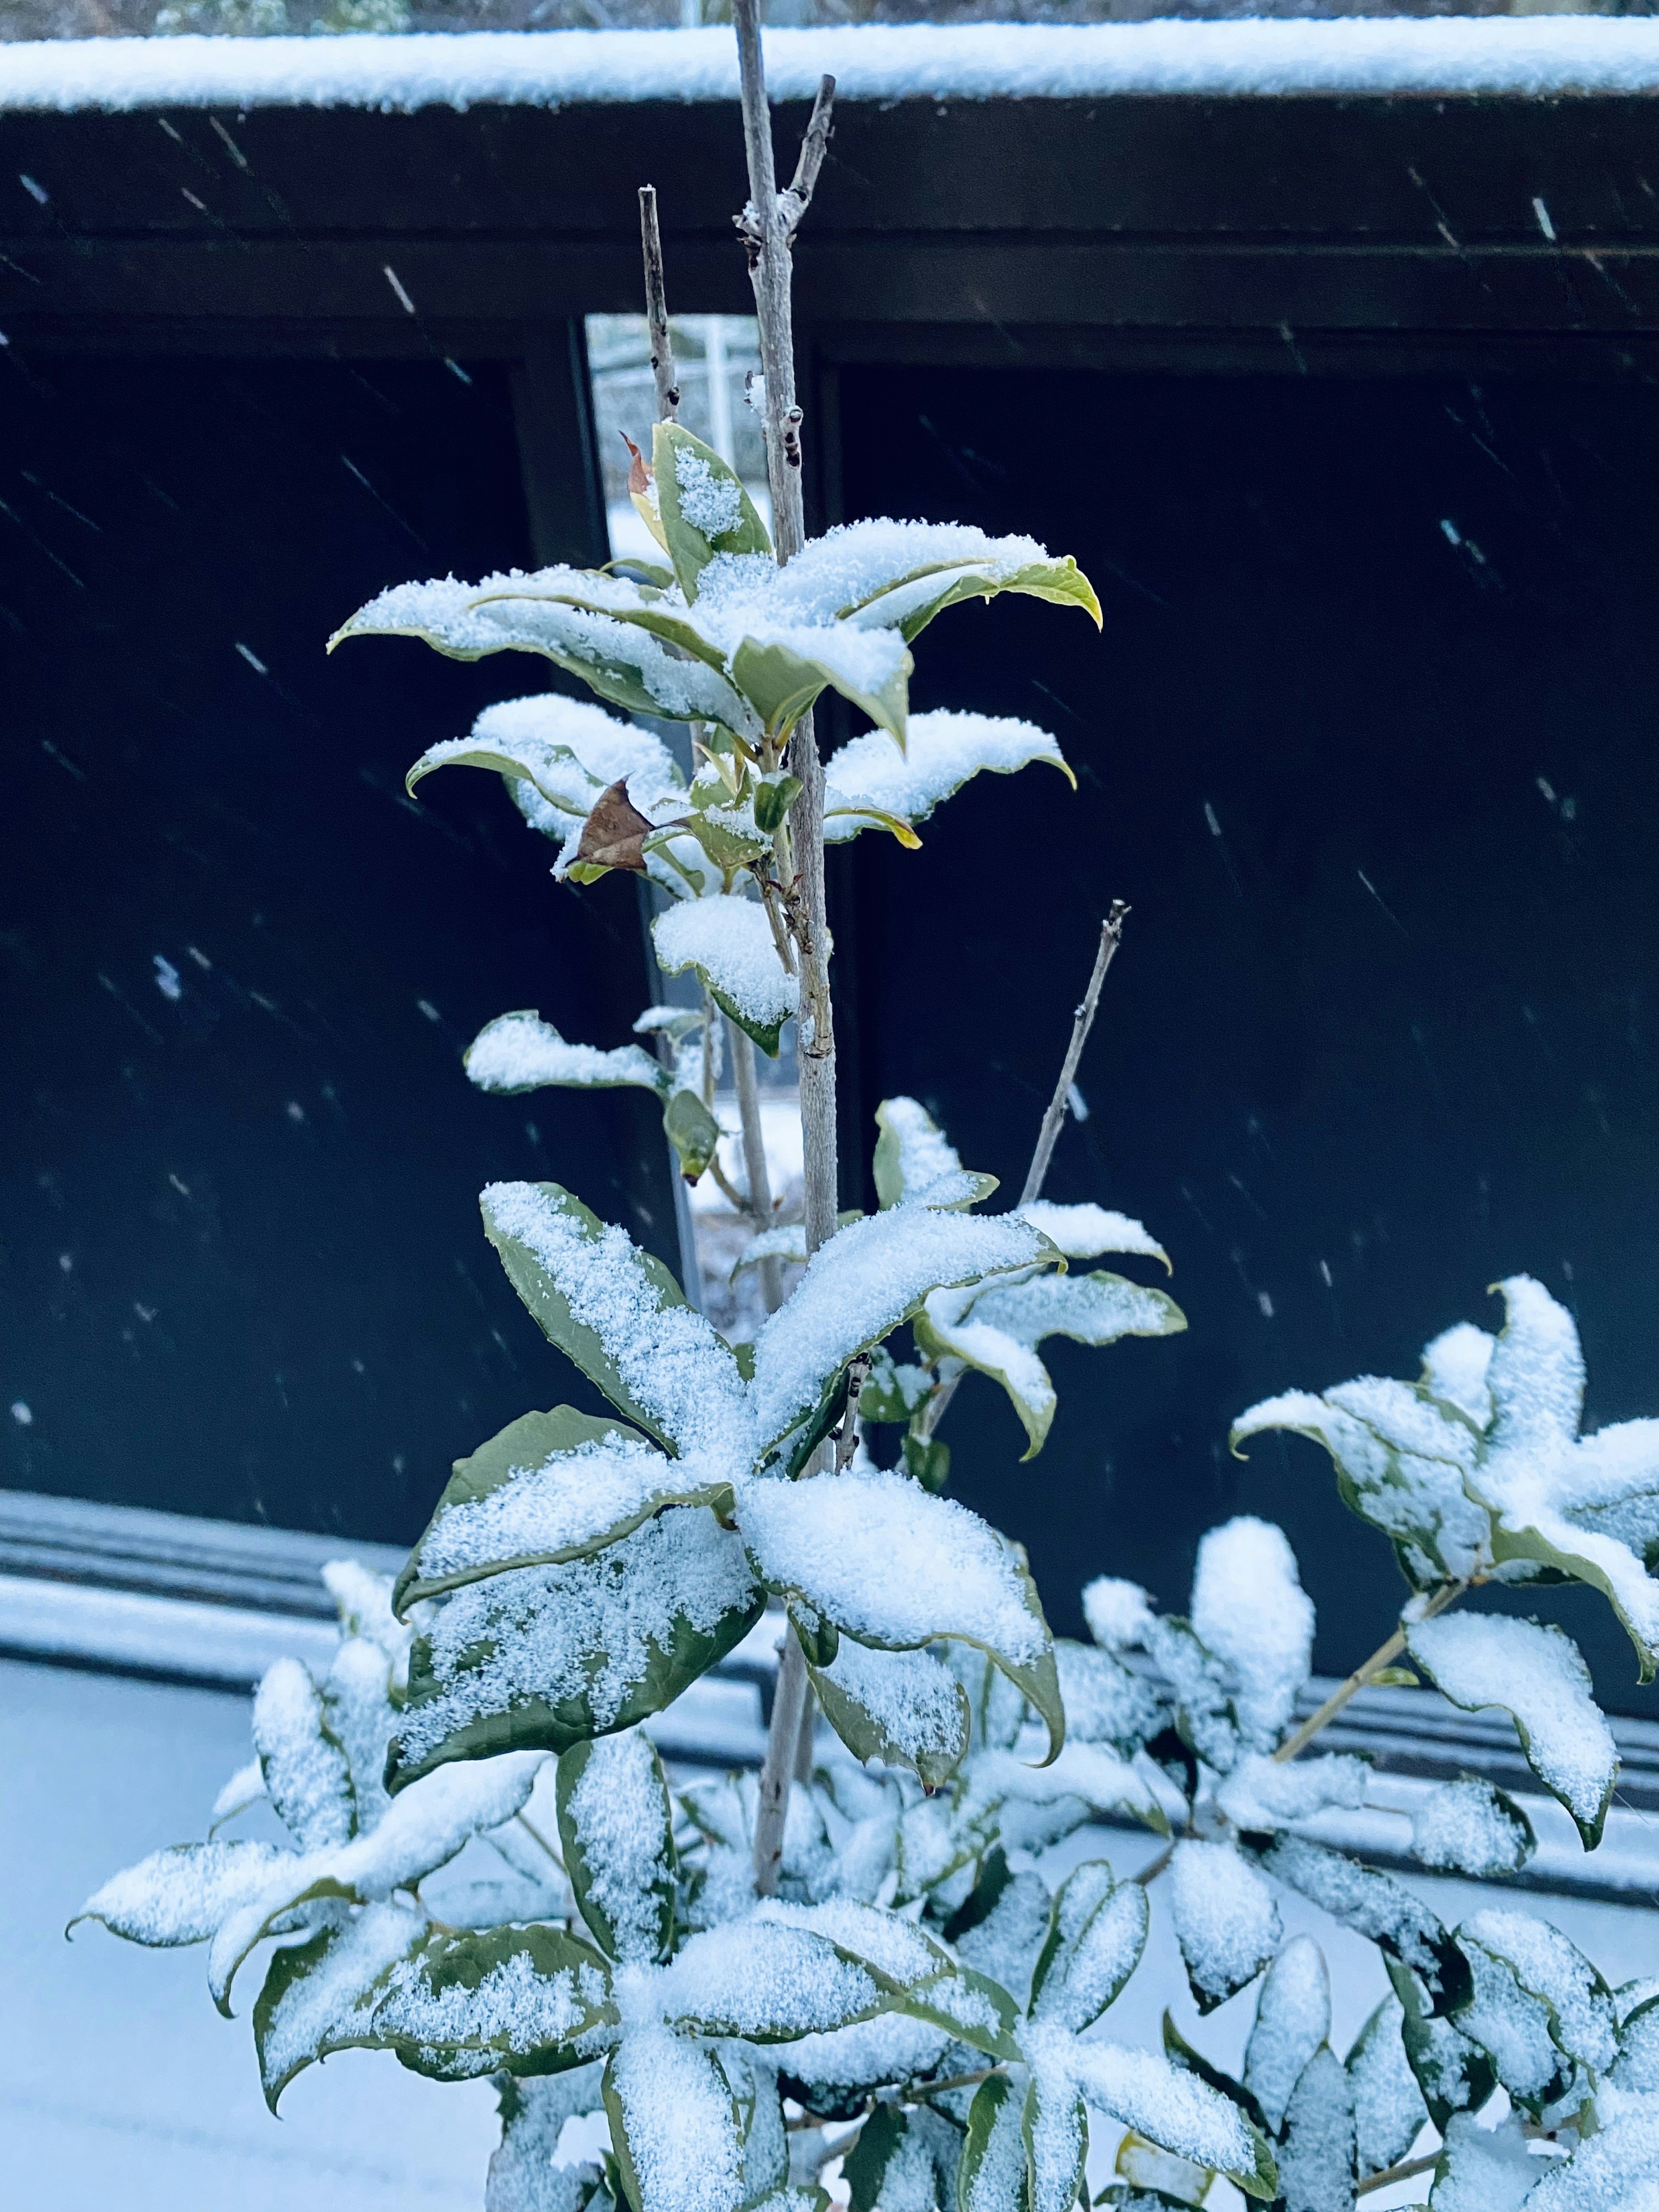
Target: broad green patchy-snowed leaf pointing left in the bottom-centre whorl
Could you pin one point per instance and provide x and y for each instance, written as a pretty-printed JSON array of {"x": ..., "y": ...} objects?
[{"x": 521, "y": 1999}]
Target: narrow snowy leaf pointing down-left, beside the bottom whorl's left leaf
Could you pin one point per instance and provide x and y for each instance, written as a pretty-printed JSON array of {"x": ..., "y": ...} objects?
[{"x": 320, "y": 1996}]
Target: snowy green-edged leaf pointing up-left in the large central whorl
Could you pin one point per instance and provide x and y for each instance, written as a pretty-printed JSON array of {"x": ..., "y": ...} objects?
[{"x": 618, "y": 1313}]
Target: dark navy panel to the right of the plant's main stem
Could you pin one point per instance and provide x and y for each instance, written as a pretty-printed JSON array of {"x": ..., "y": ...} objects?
[{"x": 1370, "y": 749}]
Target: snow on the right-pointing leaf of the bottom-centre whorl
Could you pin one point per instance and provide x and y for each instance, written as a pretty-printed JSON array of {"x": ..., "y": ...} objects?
[{"x": 766, "y": 1981}]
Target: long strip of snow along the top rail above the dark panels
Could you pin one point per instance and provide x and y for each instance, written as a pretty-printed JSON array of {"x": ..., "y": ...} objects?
[{"x": 1353, "y": 56}]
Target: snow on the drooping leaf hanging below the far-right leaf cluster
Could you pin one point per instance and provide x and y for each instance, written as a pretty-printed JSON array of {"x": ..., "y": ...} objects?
[{"x": 1538, "y": 1676}]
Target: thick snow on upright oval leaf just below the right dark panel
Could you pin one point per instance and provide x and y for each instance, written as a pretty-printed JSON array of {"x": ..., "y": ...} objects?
[{"x": 1253, "y": 1614}]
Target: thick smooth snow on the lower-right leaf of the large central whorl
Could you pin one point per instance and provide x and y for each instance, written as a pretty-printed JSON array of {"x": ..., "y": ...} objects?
[{"x": 895, "y": 1567}]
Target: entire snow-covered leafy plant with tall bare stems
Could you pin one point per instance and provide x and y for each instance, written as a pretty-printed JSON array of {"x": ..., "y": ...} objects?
[{"x": 868, "y": 1954}]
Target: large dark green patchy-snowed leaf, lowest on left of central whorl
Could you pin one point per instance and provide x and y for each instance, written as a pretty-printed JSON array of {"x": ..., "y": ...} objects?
[{"x": 552, "y": 1656}]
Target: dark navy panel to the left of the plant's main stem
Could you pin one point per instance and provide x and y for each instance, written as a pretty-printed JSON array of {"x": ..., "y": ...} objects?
[{"x": 242, "y": 1264}]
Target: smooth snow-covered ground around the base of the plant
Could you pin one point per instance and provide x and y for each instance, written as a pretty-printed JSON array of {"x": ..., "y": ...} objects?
[{"x": 123, "y": 2087}]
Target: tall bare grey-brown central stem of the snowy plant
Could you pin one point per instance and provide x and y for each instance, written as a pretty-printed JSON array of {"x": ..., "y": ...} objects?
[{"x": 766, "y": 229}]
